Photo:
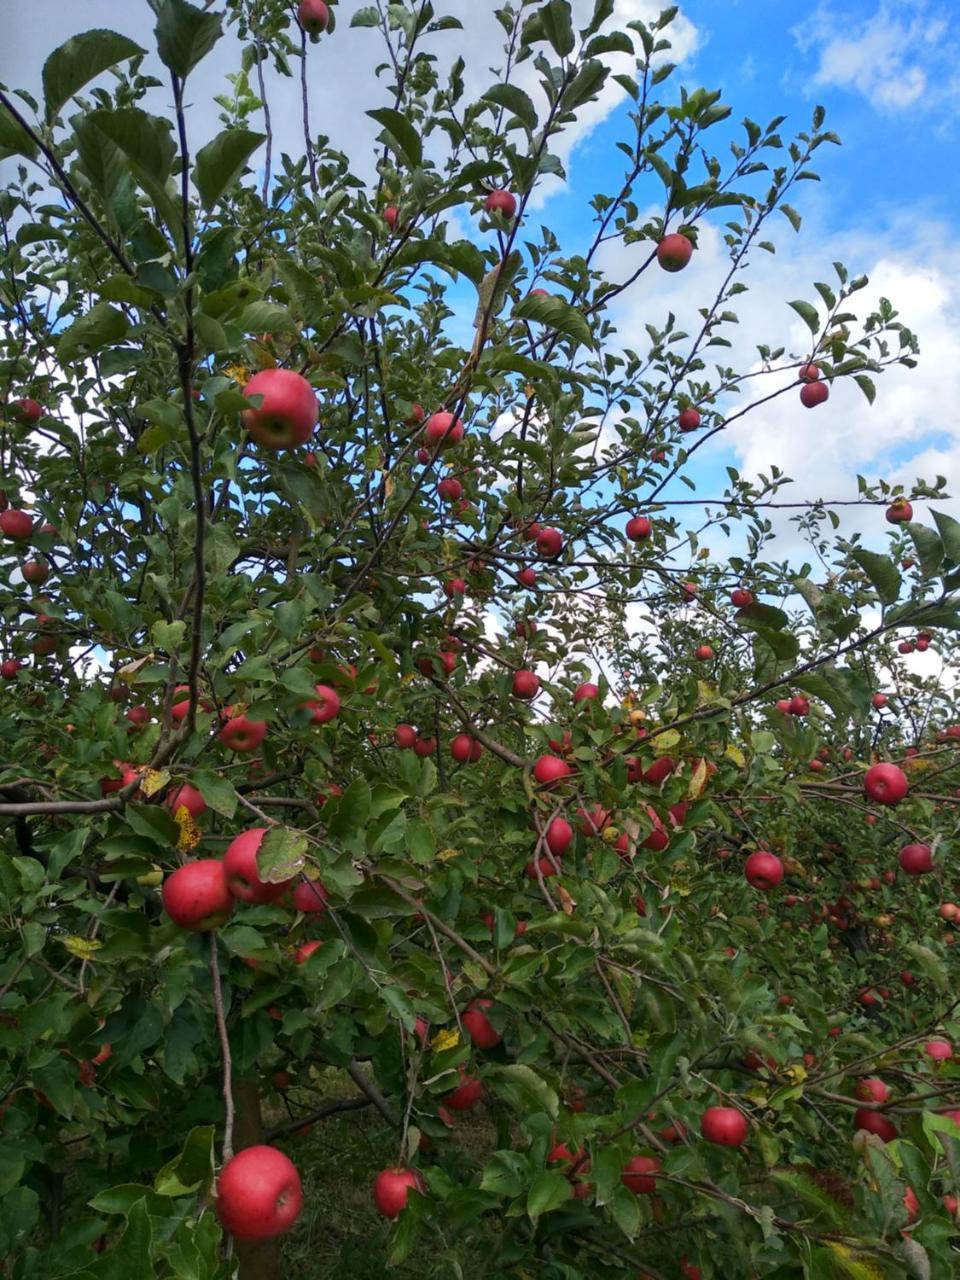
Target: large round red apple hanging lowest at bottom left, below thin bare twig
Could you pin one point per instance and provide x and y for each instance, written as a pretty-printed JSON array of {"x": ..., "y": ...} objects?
[{"x": 259, "y": 1195}]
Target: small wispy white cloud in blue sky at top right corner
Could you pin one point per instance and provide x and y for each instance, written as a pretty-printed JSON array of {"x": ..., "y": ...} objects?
[{"x": 899, "y": 57}]
